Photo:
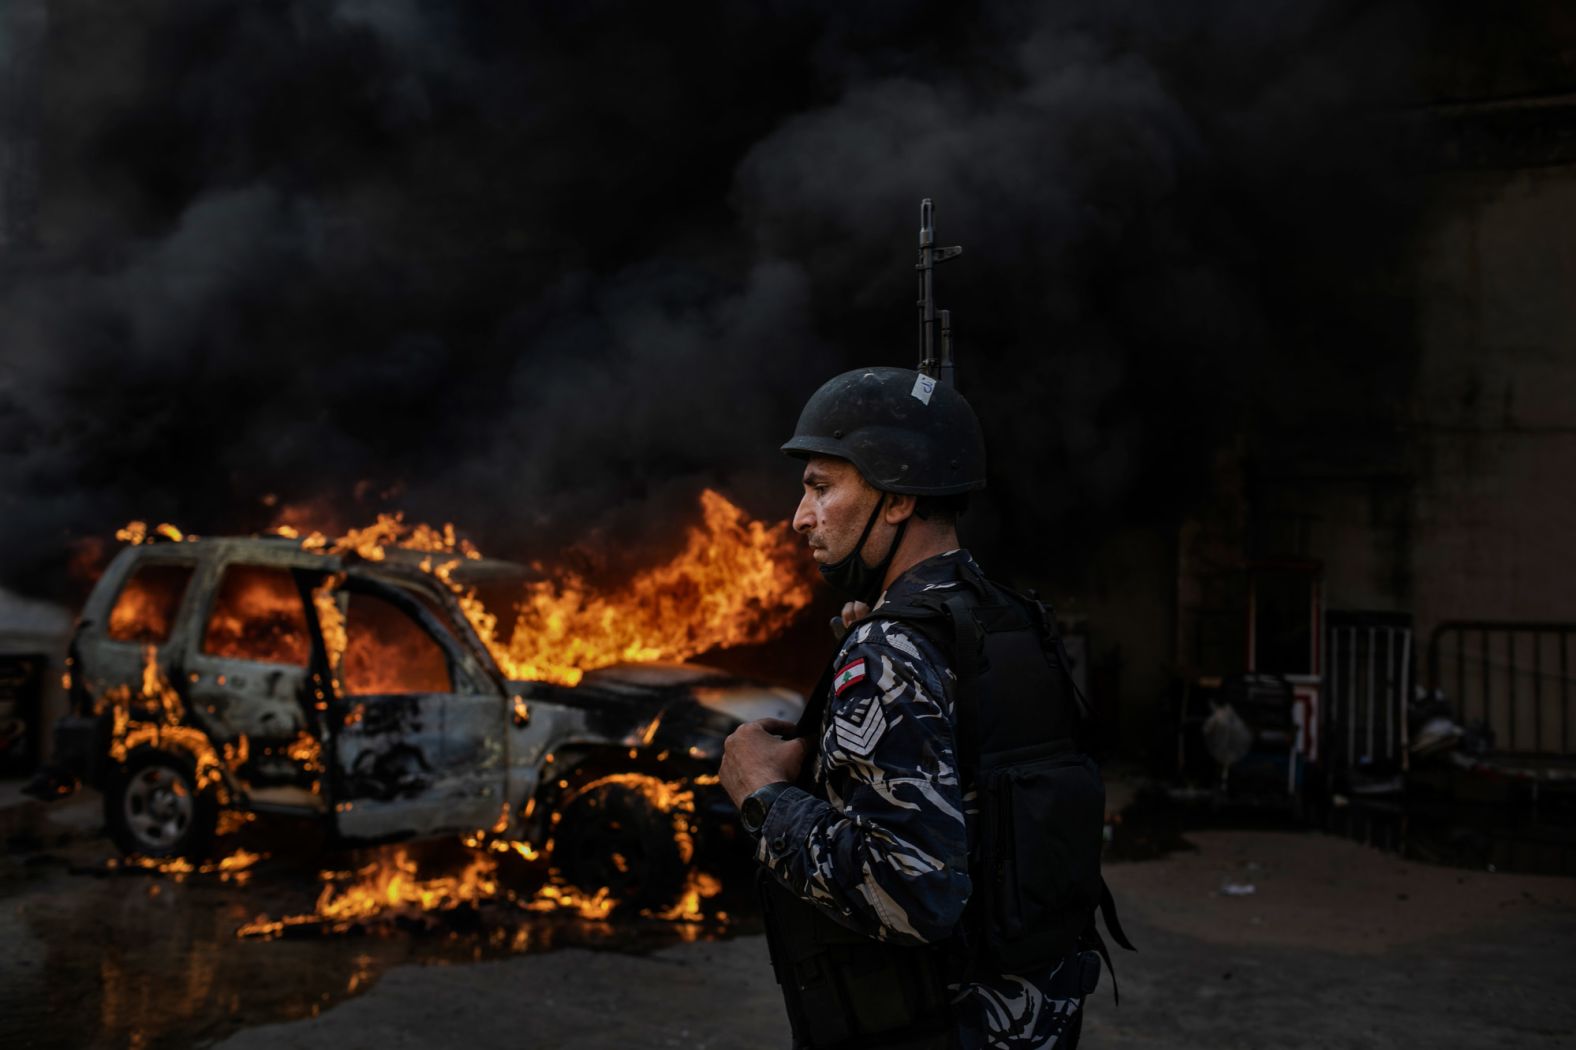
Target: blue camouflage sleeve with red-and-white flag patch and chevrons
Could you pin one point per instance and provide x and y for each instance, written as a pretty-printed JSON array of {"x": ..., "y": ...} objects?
[{"x": 888, "y": 854}]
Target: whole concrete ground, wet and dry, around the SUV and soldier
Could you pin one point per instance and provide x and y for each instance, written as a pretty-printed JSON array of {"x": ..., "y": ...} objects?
[{"x": 1337, "y": 945}]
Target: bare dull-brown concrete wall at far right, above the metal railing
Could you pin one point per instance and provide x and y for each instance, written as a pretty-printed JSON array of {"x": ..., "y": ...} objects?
[{"x": 1495, "y": 415}]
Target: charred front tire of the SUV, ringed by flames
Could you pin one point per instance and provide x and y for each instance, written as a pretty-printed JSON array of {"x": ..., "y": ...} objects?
[{"x": 611, "y": 835}]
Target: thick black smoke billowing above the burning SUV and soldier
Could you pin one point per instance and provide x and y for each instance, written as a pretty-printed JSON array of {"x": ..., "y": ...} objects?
[{"x": 549, "y": 269}]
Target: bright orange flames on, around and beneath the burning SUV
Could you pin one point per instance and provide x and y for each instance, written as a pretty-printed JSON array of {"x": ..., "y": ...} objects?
[{"x": 735, "y": 583}]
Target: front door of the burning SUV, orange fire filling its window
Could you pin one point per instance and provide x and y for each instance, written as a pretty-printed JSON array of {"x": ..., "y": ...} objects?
[{"x": 415, "y": 734}]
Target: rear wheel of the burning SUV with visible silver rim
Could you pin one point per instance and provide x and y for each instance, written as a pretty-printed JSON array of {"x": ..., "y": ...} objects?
[{"x": 154, "y": 808}]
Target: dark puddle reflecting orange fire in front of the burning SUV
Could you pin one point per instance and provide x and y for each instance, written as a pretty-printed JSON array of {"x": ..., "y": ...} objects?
[{"x": 102, "y": 956}]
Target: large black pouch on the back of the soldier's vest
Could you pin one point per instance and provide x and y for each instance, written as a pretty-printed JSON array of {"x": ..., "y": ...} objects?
[{"x": 1043, "y": 824}]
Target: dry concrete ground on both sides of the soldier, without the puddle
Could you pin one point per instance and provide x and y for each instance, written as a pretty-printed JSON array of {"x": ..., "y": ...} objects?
[{"x": 1337, "y": 947}]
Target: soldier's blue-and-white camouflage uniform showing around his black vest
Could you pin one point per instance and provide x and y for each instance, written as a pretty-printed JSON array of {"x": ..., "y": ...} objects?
[{"x": 883, "y": 841}]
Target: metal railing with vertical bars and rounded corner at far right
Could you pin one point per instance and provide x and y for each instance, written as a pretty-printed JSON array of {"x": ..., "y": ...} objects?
[{"x": 1512, "y": 677}]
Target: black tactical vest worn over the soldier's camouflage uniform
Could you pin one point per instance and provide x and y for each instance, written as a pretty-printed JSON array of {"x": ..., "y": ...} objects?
[{"x": 1036, "y": 855}]
